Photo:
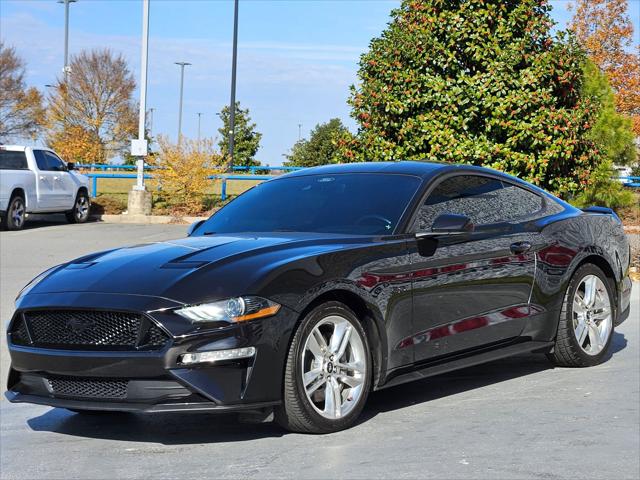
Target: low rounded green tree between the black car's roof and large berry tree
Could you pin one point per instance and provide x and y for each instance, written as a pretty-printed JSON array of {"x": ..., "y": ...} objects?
[{"x": 321, "y": 148}]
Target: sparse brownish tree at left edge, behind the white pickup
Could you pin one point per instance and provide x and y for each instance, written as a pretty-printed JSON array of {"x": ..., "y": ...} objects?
[{"x": 21, "y": 110}]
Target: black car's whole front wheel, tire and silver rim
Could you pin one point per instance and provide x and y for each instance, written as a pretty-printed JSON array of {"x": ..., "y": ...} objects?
[{"x": 312, "y": 414}]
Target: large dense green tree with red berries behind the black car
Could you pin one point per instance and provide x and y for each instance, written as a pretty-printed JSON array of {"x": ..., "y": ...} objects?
[{"x": 481, "y": 82}]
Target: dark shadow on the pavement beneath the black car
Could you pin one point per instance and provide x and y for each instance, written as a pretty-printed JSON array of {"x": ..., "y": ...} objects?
[{"x": 198, "y": 428}]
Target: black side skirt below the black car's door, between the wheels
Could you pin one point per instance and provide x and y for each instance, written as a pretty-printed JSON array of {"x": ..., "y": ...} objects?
[{"x": 463, "y": 361}]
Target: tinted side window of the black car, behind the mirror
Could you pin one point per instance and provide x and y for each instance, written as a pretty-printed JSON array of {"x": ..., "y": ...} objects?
[{"x": 484, "y": 200}]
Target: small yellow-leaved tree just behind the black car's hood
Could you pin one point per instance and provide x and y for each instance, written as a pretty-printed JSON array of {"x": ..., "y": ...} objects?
[{"x": 183, "y": 171}]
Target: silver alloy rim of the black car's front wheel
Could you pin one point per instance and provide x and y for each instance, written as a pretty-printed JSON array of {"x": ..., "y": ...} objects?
[{"x": 334, "y": 367}]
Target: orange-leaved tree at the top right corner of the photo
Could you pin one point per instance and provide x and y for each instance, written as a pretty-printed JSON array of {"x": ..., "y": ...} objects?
[{"x": 604, "y": 29}]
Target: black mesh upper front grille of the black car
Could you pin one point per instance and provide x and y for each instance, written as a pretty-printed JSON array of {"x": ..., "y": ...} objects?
[{"x": 87, "y": 330}]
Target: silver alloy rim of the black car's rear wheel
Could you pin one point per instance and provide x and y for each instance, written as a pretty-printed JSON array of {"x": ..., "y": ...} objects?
[{"x": 592, "y": 315}]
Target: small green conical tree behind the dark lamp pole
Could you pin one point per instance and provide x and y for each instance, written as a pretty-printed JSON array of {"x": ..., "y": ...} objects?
[{"x": 246, "y": 139}]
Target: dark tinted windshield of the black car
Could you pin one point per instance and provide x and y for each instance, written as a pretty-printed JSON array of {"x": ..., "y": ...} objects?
[{"x": 358, "y": 204}]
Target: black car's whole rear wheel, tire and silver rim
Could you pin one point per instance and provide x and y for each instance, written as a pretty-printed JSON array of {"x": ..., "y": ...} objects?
[{"x": 584, "y": 335}]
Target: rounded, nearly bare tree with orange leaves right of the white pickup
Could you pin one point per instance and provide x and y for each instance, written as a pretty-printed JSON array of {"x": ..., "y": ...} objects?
[{"x": 92, "y": 115}]
